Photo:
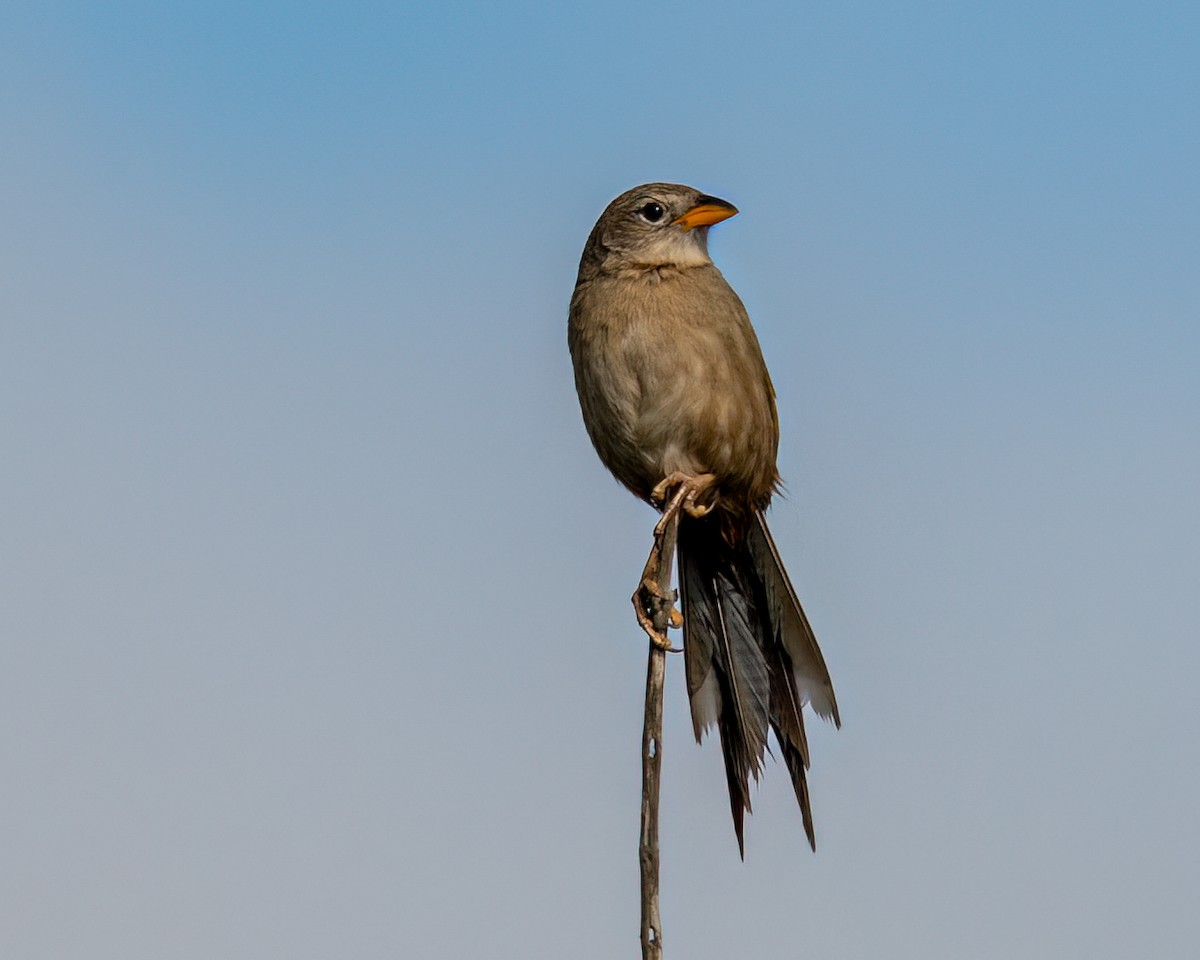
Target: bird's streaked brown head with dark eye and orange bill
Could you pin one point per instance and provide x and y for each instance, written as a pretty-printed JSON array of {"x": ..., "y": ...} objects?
[{"x": 656, "y": 225}]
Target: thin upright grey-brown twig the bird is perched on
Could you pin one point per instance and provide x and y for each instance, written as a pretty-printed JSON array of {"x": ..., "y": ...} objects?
[{"x": 652, "y": 745}]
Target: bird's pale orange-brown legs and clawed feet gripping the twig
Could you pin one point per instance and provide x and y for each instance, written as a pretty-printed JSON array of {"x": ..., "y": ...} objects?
[{"x": 655, "y": 599}]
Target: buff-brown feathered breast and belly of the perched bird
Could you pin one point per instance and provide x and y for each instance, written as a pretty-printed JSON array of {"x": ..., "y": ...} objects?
[{"x": 671, "y": 379}]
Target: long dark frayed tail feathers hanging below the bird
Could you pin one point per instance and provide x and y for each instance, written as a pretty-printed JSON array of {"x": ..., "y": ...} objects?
[{"x": 752, "y": 658}]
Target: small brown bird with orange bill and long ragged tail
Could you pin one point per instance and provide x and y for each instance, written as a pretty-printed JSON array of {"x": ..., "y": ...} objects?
[{"x": 679, "y": 404}]
